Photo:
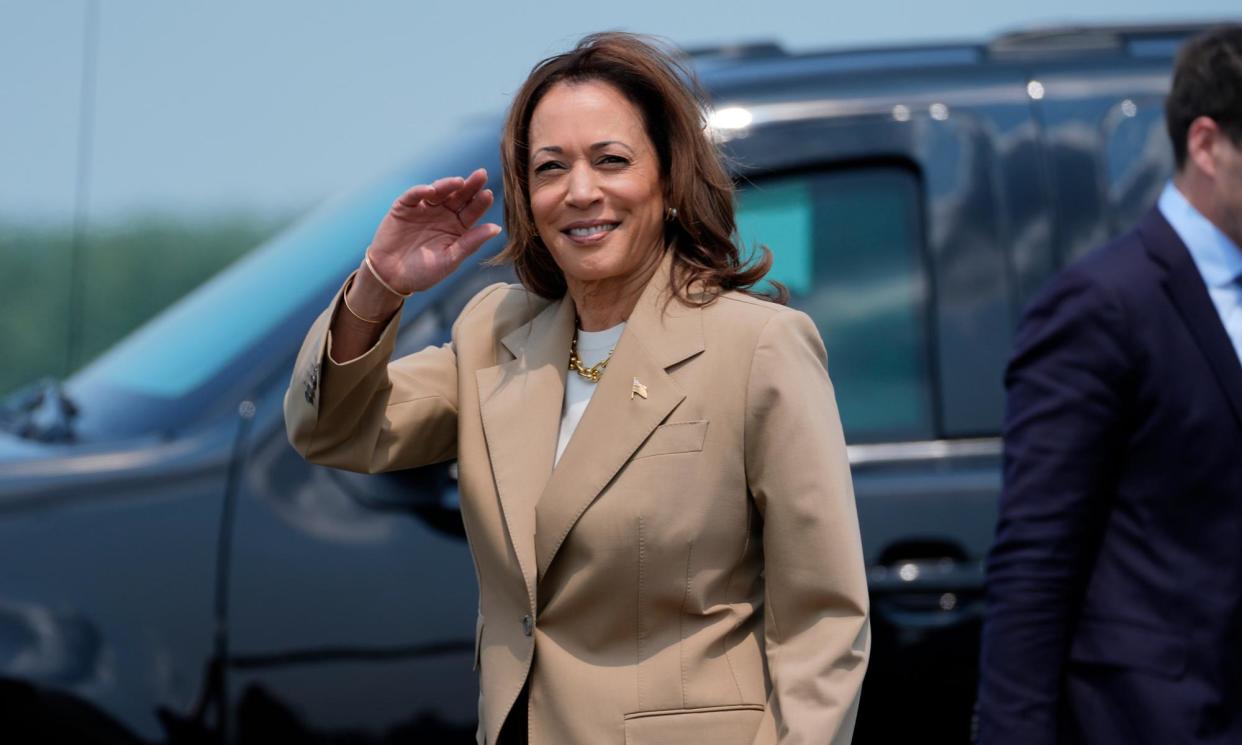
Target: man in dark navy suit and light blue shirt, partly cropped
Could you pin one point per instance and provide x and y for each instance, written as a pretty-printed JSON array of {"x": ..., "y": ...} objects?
[{"x": 1116, "y": 583}]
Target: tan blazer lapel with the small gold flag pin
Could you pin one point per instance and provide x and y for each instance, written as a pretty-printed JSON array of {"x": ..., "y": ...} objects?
[{"x": 619, "y": 420}]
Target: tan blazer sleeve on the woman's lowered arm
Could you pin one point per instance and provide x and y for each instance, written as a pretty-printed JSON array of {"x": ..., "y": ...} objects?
[{"x": 815, "y": 589}]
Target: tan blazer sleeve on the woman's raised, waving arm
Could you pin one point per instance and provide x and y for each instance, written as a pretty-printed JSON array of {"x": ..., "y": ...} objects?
[{"x": 371, "y": 415}]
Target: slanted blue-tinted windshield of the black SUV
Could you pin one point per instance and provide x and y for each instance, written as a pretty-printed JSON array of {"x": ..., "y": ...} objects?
[{"x": 170, "y": 371}]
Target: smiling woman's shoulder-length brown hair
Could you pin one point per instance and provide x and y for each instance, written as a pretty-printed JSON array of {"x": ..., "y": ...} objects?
[{"x": 691, "y": 171}]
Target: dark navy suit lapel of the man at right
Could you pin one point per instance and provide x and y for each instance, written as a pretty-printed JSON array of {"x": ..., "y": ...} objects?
[{"x": 1185, "y": 287}]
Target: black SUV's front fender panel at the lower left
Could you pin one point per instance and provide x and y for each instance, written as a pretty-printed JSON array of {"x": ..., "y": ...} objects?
[{"x": 109, "y": 589}]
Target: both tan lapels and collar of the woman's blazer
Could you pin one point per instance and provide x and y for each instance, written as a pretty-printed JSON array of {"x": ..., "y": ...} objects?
[{"x": 521, "y": 403}]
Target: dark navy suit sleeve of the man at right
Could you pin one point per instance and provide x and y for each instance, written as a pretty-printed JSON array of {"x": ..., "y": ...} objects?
[{"x": 1064, "y": 440}]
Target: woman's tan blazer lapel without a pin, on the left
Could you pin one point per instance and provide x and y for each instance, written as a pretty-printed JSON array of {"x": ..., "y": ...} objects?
[{"x": 521, "y": 403}]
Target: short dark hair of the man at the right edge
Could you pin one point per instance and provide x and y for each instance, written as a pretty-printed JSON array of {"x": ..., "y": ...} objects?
[{"x": 1208, "y": 83}]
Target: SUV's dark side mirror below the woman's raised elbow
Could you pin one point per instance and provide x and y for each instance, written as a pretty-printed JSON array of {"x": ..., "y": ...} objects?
[{"x": 430, "y": 494}]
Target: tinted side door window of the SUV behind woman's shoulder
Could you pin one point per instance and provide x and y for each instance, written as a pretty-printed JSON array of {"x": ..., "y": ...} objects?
[{"x": 848, "y": 244}]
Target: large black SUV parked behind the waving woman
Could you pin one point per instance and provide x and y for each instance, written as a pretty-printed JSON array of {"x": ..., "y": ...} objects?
[{"x": 175, "y": 573}]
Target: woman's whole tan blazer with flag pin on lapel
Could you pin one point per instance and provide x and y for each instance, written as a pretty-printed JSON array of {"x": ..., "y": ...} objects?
[{"x": 691, "y": 572}]
